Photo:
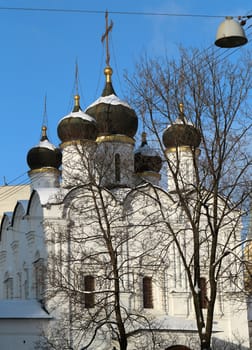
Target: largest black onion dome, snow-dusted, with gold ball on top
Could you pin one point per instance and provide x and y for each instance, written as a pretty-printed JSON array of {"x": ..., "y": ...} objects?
[{"x": 113, "y": 115}]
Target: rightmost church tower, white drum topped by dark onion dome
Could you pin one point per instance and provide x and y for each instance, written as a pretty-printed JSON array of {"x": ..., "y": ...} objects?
[{"x": 181, "y": 140}]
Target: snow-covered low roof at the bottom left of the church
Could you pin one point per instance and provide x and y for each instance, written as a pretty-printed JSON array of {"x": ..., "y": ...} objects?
[{"x": 13, "y": 308}]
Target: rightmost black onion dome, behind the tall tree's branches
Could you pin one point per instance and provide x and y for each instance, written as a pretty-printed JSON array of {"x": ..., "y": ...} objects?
[{"x": 181, "y": 133}]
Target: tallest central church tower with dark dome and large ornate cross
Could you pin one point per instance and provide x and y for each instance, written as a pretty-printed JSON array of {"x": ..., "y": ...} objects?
[{"x": 117, "y": 125}]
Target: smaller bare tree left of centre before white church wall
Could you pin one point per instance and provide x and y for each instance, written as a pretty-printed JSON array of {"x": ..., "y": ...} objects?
[{"x": 103, "y": 254}]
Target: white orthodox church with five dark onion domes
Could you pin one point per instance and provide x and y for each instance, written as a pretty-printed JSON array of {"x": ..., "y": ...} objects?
[{"x": 95, "y": 258}]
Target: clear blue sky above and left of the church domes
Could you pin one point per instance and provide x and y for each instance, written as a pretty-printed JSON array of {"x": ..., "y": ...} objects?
[{"x": 39, "y": 50}]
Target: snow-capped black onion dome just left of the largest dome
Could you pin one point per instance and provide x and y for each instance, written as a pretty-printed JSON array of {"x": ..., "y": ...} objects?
[{"x": 77, "y": 125}]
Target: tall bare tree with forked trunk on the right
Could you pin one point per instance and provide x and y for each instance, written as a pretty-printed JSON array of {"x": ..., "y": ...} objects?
[{"x": 215, "y": 95}]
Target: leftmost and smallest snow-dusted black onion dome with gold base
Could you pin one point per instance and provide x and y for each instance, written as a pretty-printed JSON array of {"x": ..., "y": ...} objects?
[{"x": 45, "y": 154}]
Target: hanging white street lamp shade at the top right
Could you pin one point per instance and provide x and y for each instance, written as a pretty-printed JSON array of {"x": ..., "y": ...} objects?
[{"x": 230, "y": 34}]
